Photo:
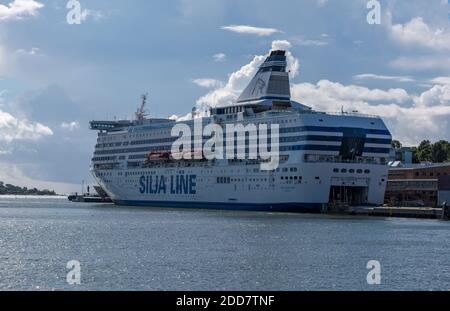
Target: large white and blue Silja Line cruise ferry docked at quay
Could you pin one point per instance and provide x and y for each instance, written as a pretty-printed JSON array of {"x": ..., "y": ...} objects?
[{"x": 324, "y": 158}]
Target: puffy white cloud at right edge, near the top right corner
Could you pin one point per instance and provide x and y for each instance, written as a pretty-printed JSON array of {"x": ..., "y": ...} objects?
[{"x": 418, "y": 33}]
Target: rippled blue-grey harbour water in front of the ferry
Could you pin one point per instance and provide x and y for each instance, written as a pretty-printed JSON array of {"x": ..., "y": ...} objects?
[{"x": 126, "y": 248}]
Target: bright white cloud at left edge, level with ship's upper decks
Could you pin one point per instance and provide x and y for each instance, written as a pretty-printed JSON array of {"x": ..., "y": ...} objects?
[{"x": 12, "y": 128}]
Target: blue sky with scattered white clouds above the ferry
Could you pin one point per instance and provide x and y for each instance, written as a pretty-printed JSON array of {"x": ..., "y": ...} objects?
[{"x": 55, "y": 76}]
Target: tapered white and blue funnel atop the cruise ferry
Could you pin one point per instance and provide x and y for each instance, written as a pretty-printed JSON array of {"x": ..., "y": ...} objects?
[{"x": 271, "y": 82}]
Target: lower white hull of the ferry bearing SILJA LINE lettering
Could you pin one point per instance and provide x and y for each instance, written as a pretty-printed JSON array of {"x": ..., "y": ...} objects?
[{"x": 248, "y": 191}]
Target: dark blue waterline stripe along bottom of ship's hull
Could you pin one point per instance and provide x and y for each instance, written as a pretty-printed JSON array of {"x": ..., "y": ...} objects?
[{"x": 281, "y": 207}]
